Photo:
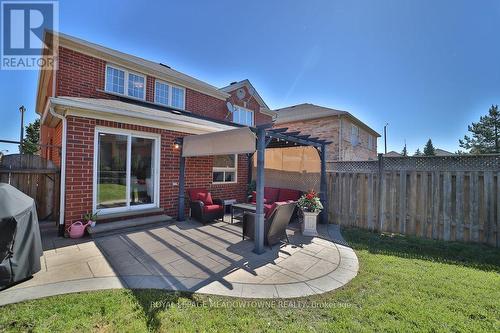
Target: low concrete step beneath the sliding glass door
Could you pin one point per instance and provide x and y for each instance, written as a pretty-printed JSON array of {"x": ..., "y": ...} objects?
[{"x": 110, "y": 228}]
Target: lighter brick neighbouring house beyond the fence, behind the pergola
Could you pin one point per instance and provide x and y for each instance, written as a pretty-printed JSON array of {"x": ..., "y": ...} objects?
[{"x": 352, "y": 140}]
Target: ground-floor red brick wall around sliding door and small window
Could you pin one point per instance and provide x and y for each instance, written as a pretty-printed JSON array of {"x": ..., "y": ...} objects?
[{"x": 79, "y": 169}]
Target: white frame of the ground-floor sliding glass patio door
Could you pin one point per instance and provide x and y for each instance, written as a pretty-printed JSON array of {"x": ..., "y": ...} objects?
[{"x": 157, "y": 157}]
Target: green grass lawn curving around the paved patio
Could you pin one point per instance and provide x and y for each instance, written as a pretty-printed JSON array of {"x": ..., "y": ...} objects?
[{"x": 404, "y": 284}]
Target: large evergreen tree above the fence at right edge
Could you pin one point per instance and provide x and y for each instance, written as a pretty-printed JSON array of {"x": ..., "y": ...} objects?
[{"x": 485, "y": 134}]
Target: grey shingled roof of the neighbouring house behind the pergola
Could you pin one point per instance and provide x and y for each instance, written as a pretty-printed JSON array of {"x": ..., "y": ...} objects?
[{"x": 308, "y": 111}]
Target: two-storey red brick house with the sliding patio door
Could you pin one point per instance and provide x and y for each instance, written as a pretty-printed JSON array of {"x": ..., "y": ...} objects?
[{"x": 117, "y": 116}]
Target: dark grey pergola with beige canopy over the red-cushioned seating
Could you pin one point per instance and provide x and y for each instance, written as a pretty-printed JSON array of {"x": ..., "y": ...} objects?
[{"x": 248, "y": 140}]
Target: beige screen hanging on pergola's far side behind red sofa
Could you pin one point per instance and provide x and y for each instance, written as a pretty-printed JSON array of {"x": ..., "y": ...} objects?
[{"x": 295, "y": 168}]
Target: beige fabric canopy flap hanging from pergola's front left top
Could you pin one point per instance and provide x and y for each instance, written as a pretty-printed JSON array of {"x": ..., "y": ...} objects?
[{"x": 237, "y": 141}]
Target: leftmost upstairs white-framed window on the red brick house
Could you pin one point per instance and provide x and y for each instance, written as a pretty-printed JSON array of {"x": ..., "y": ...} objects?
[{"x": 122, "y": 82}]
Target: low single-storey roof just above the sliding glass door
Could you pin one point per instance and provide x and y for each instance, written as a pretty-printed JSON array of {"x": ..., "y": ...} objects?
[{"x": 137, "y": 113}]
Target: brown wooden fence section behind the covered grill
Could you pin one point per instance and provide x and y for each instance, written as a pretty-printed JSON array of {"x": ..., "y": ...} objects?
[{"x": 36, "y": 177}]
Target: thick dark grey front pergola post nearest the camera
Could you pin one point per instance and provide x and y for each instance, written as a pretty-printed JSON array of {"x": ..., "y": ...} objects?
[{"x": 259, "y": 214}]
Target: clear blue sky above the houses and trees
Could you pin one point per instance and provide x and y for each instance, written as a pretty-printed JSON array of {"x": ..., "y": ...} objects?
[{"x": 426, "y": 67}]
